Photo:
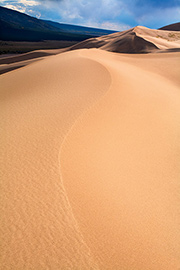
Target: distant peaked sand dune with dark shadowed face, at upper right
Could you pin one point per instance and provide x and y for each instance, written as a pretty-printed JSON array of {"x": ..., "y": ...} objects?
[{"x": 136, "y": 40}]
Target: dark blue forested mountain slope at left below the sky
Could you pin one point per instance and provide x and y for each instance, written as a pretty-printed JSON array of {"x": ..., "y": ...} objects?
[{"x": 17, "y": 26}]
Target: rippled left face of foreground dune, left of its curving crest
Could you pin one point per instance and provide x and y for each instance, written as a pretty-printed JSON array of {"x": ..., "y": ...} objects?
[{"x": 38, "y": 229}]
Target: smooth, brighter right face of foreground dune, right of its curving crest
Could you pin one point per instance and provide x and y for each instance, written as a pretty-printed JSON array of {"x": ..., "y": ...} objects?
[{"x": 119, "y": 166}]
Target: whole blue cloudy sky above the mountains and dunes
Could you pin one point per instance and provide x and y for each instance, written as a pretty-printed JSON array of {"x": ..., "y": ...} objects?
[{"x": 107, "y": 14}]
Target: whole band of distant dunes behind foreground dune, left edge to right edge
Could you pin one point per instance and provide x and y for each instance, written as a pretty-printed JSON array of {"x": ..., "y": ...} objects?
[{"x": 136, "y": 40}]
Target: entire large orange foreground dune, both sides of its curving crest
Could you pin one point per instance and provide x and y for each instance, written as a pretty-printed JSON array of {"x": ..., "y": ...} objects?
[{"x": 91, "y": 151}]
